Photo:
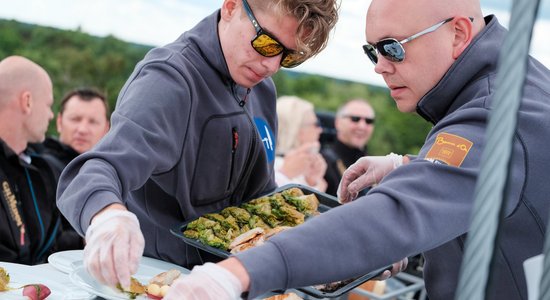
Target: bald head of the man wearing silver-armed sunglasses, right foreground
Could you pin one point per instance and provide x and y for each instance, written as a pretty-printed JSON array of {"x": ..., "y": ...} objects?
[{"x": 426, "y": 58}]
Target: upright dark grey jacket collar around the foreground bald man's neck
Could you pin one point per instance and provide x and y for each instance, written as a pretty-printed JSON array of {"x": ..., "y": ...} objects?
[{"x": 458, "y": 85}]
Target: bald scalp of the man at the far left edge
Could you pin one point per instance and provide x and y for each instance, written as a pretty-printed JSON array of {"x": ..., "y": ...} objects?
[{"x": 19, "y": 74}]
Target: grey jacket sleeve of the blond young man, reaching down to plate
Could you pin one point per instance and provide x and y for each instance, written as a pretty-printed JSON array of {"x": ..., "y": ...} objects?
[{"x": 146, "y": 138}]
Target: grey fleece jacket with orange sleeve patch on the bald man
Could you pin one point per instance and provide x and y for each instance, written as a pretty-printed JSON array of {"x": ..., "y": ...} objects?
[{"x": 425, "y": 206}]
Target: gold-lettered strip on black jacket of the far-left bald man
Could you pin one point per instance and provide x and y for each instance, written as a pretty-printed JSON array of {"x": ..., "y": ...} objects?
[{"x": 13, "y": 209}]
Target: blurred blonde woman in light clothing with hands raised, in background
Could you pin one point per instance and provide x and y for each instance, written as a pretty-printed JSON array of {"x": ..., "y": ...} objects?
[{"x": 297, "y": 152}]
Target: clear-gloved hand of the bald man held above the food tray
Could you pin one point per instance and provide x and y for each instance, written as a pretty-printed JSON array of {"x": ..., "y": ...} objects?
[{"x": 366, "y": 172}]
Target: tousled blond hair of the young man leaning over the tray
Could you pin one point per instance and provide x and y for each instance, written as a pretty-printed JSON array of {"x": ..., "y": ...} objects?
[{"x": 316, "y": 19}]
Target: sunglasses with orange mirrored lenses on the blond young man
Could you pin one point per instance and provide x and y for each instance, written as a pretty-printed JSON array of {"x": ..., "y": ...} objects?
[{"x": 268, "y": 46}]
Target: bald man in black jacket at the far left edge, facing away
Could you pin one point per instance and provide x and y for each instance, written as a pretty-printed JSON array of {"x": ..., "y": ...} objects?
[{"x": 29, "y": 219}]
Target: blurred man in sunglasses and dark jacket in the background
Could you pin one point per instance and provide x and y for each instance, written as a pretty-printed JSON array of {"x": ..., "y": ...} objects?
[{"x": 354, "y": 125}]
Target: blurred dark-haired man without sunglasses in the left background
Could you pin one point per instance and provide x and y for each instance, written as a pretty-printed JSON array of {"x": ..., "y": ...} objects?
[{"x": 83, "y": 119}]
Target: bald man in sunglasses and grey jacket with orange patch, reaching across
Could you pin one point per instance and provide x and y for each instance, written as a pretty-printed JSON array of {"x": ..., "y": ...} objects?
[{"x": 439, "y": 59}]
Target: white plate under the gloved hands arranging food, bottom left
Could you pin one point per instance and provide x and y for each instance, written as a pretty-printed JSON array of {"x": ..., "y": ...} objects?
[{"x": 148, "y": 268}]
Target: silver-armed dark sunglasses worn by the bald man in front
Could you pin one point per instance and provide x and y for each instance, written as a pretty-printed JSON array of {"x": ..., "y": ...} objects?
[{"x": 392, "y": 49}]
